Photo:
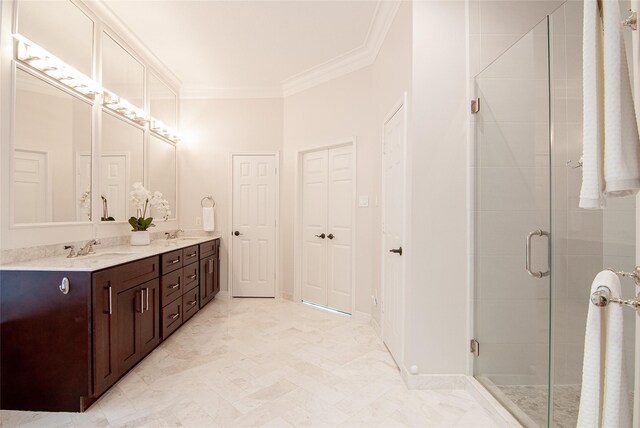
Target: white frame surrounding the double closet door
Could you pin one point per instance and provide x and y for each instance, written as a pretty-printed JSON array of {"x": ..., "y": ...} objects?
[{"x": 297, "y": 217}]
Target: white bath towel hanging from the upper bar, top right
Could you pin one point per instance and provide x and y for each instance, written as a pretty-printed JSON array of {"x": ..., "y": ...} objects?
[{"x": 611, "y": 147}]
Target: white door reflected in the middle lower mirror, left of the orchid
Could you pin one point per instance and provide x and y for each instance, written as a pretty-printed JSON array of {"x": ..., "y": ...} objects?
[{"x": 113, "y": 180}]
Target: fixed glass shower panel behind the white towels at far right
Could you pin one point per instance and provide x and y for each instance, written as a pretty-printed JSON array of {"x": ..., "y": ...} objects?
[{"x": 585, "y": 241}]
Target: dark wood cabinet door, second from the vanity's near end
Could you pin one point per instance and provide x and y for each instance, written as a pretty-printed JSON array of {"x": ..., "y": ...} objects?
[{"x": 128, "y": 344}]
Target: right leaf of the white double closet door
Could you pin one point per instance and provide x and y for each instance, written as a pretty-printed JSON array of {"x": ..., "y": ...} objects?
[{"x": 339, "y": 218}]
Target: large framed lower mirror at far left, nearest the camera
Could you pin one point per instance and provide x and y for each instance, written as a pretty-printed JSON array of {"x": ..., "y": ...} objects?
[{"x": 51, "y": 165}]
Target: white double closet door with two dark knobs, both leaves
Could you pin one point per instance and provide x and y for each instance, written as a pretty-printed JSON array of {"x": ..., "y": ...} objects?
[{"x": 327, "y": 225}]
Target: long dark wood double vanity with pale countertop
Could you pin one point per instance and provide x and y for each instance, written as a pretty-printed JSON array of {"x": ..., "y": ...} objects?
[{"x": 71, "y": 327}]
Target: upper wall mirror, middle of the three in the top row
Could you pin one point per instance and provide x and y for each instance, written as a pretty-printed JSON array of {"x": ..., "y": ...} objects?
[{"x": 122, "y": 74}]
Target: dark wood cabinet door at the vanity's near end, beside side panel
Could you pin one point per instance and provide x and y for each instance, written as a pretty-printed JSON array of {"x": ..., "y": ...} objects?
[{"x": 105, "y": 371}]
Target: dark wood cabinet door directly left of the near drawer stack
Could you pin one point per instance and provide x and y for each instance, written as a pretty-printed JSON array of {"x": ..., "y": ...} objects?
[{"x": 149, "y": 334}]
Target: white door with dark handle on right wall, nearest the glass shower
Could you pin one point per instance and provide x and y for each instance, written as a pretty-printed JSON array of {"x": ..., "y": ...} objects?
[{"x": 392, "y": 233}]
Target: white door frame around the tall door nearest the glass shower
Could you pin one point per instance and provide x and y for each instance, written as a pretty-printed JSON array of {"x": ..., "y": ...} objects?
[{"x": 406, "y": 235}]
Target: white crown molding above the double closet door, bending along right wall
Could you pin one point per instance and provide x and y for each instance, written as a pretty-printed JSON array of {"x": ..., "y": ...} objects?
[{"x": 351, "y": 61}]
